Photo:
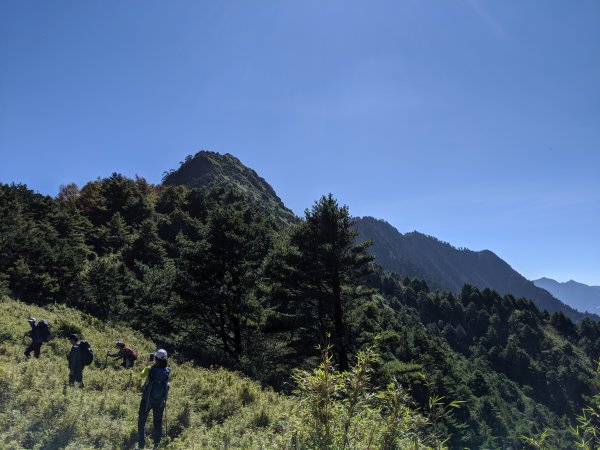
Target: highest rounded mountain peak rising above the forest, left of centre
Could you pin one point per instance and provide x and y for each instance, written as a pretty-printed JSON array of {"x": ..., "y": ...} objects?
[{"x": 211, "y": 169}]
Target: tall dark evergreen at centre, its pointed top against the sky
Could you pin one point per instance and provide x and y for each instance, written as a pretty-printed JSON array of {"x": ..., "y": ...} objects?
[{"x": 321, "y": 270}]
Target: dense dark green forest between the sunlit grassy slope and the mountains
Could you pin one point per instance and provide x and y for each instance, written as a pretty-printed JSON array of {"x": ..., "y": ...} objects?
[{"x": 221, "y": 281}]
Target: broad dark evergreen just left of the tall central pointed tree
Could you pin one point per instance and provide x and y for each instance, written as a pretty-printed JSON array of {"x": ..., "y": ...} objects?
[{"x": 218, "y": 276}]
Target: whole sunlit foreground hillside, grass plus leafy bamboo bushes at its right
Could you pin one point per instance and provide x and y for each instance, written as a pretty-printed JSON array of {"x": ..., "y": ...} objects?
[{"x": 207, "y": 408}]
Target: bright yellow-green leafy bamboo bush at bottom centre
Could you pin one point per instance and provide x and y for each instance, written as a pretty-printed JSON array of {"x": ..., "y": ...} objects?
[{"x": 340, "y": 410}]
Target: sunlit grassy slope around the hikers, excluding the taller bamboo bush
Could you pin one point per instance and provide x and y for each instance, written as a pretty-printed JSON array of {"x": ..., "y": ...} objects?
[{"x": 207, "y": 409}]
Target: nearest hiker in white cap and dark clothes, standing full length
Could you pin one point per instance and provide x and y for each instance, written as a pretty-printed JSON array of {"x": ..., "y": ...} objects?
[{"x": 154, "y": 397}]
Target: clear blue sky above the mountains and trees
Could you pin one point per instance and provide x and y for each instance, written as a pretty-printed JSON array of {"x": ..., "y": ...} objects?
[{"x": 477, "y": 122}]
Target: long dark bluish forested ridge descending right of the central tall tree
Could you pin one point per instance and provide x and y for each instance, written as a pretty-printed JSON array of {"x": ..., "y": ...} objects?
[{"x": 446, "y": 267}]
